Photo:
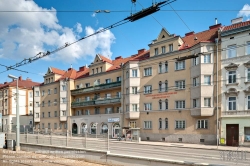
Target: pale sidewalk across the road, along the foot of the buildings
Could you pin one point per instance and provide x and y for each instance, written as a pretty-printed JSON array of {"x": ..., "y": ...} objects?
[{"x": 186, "y": 145}]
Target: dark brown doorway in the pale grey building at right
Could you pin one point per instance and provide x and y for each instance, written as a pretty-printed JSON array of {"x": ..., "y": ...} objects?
[{"x": 232, "y": 134}]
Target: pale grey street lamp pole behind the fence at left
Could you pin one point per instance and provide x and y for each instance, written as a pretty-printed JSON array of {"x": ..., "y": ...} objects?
[{"x": 17, "y": 114}]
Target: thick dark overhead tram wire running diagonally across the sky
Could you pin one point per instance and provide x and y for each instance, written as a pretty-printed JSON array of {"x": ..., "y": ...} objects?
[{"x": 150, "y": 10}]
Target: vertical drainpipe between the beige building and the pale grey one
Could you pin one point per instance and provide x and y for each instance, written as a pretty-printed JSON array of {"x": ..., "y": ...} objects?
[{"x": 217, "y": 95}]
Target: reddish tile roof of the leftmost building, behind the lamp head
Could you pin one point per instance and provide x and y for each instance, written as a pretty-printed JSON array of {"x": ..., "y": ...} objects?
[{"x": 26, "y": 84}]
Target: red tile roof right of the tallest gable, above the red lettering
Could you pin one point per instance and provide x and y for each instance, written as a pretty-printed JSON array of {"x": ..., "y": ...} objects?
[{"x": 205, "y": 36}]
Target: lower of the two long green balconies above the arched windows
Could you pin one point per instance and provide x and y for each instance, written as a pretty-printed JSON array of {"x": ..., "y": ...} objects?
[{"x": 100, "y": 101}]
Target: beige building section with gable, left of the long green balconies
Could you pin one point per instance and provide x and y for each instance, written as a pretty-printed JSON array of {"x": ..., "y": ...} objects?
[{"x": 52, "y": 100}]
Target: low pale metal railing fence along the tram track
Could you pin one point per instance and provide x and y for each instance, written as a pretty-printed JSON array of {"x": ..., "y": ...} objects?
[{"x": 66, "y": 139}]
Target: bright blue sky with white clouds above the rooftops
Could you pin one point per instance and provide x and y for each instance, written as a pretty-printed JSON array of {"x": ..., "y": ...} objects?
[{"x": 24, "y": 34}]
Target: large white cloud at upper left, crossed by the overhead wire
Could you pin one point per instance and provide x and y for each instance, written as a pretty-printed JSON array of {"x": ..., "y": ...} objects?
[{"x": 25, "y": 34}]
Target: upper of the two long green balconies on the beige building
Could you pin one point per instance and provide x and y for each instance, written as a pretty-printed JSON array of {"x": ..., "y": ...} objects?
[{"x": 100, "y": 87}]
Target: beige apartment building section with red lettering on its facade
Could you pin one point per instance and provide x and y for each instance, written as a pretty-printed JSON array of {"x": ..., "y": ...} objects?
[{"x": 173, "y": 98}]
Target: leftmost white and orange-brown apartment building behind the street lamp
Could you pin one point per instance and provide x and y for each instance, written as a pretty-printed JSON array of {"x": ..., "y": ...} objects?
[{"x": 8, "y": 104}]
